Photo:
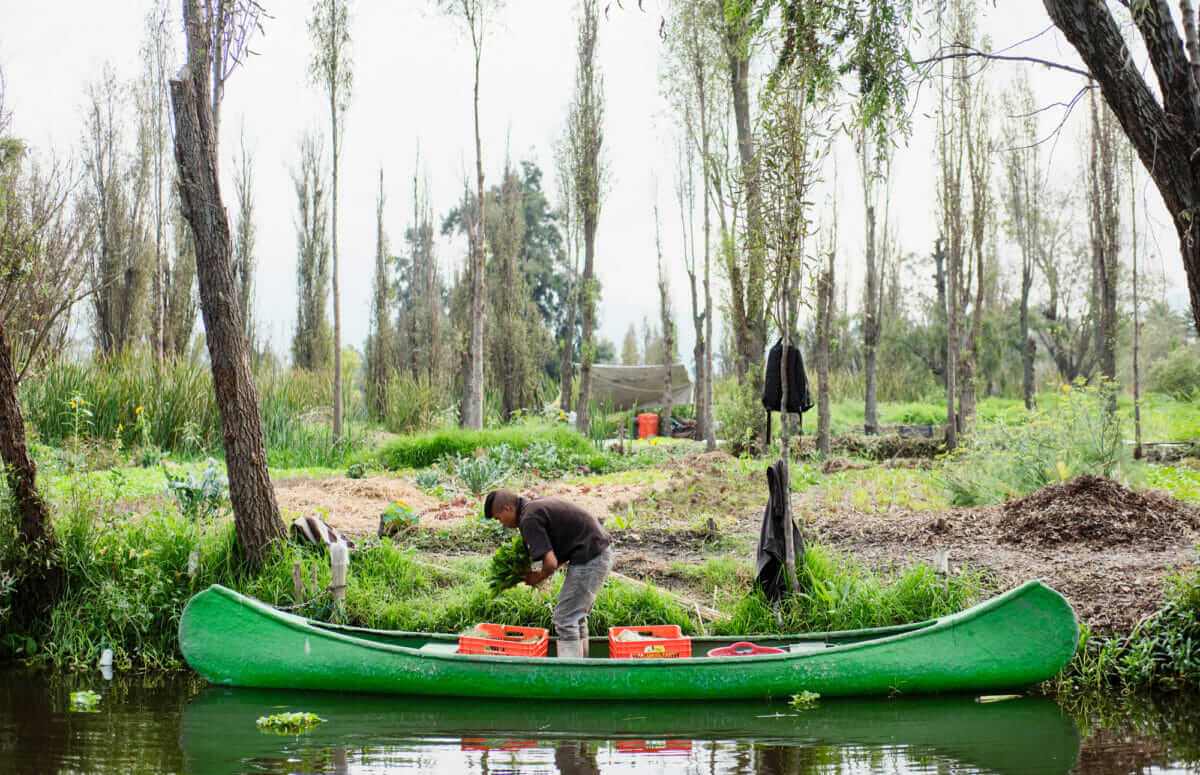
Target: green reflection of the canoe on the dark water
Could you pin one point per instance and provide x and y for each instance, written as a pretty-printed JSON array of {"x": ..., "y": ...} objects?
[{"x": 1030, "y": 735}]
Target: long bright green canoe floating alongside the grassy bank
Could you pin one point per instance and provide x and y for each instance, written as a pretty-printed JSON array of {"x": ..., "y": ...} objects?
[{"x": 1015, "y": 640}]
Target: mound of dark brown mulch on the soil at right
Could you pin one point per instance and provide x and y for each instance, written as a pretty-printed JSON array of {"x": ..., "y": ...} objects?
[{"x": 1096, "y": 510}]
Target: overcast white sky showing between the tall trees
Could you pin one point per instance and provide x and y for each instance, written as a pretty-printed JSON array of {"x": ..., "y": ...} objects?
[{"x": 413, "y": 86}]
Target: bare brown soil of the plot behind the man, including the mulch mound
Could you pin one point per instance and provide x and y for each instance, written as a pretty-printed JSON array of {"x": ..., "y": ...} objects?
[{"x": 1106, "y": 548}]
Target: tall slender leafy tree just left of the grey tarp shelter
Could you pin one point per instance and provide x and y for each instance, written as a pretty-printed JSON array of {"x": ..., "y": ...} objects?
[{"x": 586, "y": 139}]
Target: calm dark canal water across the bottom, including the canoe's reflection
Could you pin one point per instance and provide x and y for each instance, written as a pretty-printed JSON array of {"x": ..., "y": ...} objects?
[{"x": 179, "y": 725}]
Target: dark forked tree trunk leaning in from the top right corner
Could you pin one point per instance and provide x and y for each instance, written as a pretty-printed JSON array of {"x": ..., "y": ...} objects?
[{"x": 1165, "y": 135}]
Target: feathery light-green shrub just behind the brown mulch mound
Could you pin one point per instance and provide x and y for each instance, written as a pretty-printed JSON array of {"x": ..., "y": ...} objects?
[{"x": 1073, "y": 435}]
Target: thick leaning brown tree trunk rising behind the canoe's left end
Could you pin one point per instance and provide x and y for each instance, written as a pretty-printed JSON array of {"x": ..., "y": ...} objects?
[{"x": 256, "y": 514}]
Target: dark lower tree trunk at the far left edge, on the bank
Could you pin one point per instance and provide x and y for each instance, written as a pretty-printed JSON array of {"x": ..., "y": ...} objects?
[{"x": 40, "y": 576}]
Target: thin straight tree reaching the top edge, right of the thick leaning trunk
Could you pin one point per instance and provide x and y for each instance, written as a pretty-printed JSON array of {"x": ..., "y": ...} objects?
[{"x": 331, "y": 69}]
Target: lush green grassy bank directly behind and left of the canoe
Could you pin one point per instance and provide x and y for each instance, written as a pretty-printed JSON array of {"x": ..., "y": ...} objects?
[{"x": 129, "y": 576}]
